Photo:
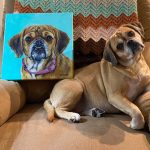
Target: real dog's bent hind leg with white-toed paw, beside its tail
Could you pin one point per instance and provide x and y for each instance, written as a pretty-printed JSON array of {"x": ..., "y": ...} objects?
[{"x": 63, "y": 99}]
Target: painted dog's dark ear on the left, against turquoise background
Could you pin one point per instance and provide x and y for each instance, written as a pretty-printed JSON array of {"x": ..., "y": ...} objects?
[{"x": 16, "y": 45}]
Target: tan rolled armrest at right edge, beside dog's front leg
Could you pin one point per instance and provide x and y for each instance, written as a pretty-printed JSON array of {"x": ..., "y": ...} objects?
[{"x": 143, "y": 102}]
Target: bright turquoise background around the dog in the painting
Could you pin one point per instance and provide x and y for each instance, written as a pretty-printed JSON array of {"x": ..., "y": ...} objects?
[{"x": 16, "y": 23}]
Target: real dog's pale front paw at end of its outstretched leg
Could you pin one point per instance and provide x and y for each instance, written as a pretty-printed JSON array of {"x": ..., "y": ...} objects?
[{"x": 137, "y": 122}]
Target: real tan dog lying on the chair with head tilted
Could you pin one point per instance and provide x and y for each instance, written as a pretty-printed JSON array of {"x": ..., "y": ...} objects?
[{"x": 111, "y": 85}]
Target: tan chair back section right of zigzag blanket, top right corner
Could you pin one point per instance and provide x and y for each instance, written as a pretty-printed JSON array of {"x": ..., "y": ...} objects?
[{"x": 144, "y": 16}]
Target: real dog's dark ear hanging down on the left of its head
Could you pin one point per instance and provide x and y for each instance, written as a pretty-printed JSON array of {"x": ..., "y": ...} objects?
[{"x": 109, "y": 55}]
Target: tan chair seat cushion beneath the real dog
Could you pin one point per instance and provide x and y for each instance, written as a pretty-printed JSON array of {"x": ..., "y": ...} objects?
[{"x": 30, "y": 130}]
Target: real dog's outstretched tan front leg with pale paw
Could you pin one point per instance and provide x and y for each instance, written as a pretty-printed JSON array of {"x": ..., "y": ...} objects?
[{"x": 129, "y": 108}]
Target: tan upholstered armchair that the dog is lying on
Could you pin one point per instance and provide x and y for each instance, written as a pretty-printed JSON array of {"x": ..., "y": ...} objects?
[{"x": 28, "y": 129}]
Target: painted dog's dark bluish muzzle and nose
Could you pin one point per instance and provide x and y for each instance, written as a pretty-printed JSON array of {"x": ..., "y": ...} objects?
[{"x": 38, "y": 50}]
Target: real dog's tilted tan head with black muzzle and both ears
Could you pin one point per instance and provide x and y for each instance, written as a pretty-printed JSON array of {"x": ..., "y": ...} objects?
[{"x": 125, "y": 45}]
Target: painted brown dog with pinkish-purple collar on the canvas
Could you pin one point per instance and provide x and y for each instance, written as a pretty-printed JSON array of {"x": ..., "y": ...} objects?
[{"x": 43, "y": 46}]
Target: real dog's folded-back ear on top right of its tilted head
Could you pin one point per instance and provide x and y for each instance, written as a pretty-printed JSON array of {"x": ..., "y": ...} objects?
[{"x": 137, "y": 26}]
